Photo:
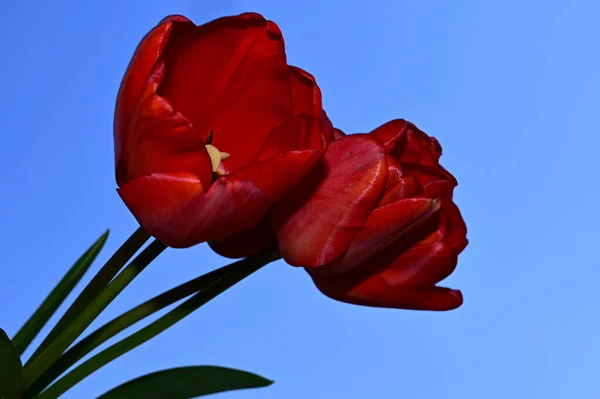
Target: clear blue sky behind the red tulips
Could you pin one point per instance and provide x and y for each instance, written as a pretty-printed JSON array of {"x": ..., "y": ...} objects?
[{"x": 509, "y": 88}]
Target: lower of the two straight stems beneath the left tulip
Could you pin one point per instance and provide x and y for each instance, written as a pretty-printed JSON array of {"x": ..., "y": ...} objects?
[{"x": 36, "y": 368}]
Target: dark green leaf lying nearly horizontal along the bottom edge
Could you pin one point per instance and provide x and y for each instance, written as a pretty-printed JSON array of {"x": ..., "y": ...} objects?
[{"x": 186, "y": 382}]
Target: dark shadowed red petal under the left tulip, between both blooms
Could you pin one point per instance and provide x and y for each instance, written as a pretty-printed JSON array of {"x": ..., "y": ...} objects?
[{"x": 246, "y": 243}]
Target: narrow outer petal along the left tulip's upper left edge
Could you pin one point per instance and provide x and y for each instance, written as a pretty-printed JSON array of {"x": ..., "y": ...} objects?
[{"x": 139, "y": 70}]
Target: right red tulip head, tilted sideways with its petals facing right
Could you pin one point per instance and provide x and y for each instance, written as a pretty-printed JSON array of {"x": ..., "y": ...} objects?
[{"x": 374, "y": 223}]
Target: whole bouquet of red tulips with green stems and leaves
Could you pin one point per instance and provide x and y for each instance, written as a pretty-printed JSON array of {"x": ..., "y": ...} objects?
[{"x": 219, "y": 140}]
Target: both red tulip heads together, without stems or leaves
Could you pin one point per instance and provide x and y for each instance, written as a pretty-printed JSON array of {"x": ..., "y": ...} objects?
[{"x": 219, "y": 140}]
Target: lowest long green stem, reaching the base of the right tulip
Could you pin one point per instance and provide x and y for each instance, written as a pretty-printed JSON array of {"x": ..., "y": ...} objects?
[{"x": 238, "y": 272}]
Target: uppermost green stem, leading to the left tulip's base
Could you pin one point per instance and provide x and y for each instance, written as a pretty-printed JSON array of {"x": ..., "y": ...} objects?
[{"x": 98, "y": 283}]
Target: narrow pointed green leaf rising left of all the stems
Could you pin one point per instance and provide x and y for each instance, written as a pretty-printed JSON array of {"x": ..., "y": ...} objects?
[{"x": 41, "y": 316}]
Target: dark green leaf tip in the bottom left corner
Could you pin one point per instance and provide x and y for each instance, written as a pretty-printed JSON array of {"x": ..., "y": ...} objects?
[{"x": 11, "y": 375}]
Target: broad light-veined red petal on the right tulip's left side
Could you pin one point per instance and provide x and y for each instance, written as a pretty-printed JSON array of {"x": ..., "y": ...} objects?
[{"x": 316, "y": 222}]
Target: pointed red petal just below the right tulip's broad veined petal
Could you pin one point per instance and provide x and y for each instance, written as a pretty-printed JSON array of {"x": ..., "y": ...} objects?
[{"x": 383, "y": 227}]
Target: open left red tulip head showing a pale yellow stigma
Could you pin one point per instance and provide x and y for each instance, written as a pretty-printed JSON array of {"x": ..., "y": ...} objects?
[{"x": 212, "y": 126}]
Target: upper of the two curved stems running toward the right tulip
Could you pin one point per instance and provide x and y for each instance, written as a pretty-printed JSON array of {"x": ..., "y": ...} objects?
[{"x": 117, "y": 325}]
